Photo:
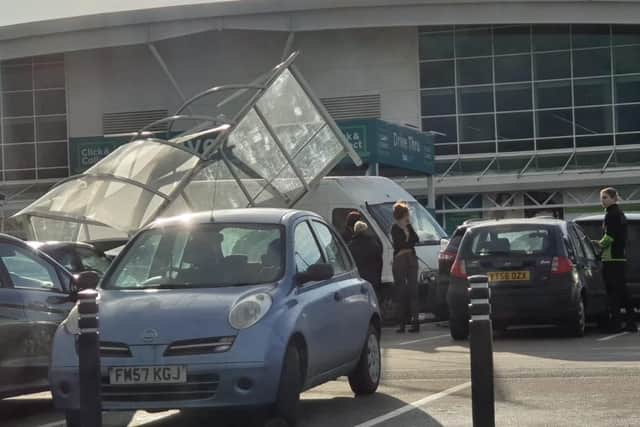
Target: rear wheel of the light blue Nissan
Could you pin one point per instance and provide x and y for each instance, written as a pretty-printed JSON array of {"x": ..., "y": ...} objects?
[{"x": 365, "y": 378}]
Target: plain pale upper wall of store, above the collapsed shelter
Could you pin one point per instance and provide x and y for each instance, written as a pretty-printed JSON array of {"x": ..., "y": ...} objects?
[{"x": 336, "y": 63}]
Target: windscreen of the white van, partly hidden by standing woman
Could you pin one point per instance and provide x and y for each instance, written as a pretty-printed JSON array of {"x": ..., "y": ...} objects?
[{"x": 428, "y": 230}]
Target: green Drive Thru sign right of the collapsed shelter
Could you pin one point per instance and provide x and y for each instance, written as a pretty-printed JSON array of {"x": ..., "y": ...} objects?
[{"x": 390, "y": 144}]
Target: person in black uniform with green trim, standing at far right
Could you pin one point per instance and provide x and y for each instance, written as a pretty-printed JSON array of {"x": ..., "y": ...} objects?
[{"x": 614, "y": 261}]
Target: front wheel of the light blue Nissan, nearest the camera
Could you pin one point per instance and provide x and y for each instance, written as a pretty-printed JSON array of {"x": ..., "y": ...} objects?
[{"x": 286, "y": 406}]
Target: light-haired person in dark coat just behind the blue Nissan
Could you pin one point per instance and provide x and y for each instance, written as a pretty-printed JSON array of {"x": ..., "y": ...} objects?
[{"x": 367, "y": 253}]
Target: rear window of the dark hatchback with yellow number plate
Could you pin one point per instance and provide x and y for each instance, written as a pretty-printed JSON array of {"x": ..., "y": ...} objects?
[{"x": 509, "y": 240}]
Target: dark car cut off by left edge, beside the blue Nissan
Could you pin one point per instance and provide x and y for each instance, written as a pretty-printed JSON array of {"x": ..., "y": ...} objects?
[{"x": 34, "y": 298}]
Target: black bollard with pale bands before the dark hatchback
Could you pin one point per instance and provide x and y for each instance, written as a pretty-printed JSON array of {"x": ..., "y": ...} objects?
[{"x": 481, "y": 352}]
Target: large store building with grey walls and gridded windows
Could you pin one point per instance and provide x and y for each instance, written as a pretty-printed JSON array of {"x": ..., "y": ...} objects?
[{"x": 533, "y": 105}]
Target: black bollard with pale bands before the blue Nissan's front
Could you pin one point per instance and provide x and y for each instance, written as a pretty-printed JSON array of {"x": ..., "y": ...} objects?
[{"x": 89, "y": 359}]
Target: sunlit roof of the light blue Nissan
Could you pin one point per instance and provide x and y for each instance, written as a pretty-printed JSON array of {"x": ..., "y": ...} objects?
[{"x": 237, "y": 216}]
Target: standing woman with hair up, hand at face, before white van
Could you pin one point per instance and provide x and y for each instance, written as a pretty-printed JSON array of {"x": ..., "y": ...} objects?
[{"x": 405, "y": 267}]
